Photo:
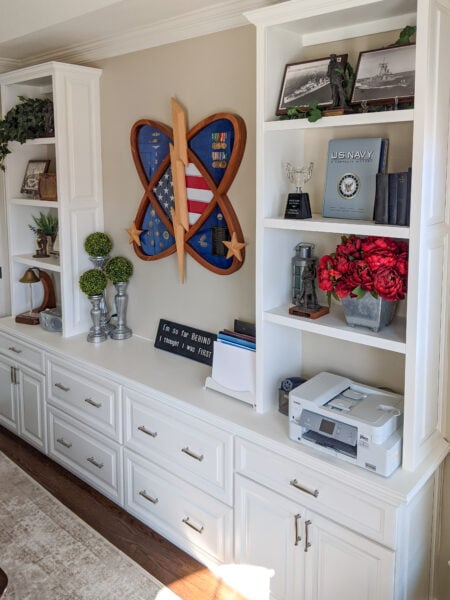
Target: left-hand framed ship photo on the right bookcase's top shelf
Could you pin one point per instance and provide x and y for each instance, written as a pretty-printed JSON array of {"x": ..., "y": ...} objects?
[{"x": 307, "y": 81}]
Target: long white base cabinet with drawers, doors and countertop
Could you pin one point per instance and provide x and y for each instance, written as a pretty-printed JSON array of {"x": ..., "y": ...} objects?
[{"x": 219, "y": 480}]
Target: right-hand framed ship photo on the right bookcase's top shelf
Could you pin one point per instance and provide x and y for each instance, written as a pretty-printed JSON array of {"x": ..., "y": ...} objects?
[{"x": 385, "y": 76}]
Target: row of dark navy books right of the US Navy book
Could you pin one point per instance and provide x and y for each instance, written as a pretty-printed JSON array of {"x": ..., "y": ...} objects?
[{"x": 393, "y": 198}]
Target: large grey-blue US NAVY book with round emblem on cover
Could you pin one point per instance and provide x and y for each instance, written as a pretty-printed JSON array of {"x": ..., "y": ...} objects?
[{"x": 350, "y": 183}]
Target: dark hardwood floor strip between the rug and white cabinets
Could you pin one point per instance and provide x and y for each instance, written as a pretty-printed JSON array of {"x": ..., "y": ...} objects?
[{"x": 174, "y": 568}]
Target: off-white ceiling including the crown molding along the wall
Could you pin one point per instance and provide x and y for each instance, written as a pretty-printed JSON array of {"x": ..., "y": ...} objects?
[{"x": 87, "y": 30}]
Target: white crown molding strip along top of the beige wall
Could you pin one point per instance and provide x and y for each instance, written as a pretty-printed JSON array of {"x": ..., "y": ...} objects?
[{"x": 227, "y": 15}]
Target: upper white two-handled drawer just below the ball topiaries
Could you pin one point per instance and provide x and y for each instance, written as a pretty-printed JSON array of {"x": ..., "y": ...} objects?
[{"x": 92, "y": 399}]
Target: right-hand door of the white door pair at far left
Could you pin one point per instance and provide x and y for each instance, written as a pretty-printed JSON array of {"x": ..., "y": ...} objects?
[{"x": 30, "y": 393}]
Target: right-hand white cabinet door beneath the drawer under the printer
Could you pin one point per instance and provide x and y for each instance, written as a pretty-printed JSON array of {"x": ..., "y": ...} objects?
[{"x": 343, "y": 564}]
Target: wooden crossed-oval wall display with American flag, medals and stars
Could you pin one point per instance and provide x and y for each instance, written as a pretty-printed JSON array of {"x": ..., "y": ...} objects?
[{"x": 213, "y": 152}]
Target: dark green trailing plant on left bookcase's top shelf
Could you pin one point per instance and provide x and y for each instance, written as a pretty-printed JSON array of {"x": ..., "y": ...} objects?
[{"x": 31, "y": 118}]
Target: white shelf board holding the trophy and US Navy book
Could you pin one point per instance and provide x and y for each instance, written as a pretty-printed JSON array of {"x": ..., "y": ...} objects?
[{"x": 341, "y": 226}]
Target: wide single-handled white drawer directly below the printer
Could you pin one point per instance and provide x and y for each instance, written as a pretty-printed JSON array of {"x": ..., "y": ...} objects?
[{"x": 357, "y": 510}]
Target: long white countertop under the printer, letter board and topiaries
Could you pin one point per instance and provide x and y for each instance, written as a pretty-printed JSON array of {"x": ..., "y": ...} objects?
[{"x": 179, "y": 382}]
